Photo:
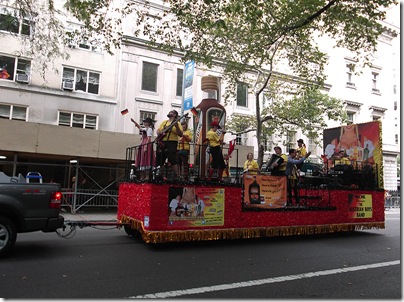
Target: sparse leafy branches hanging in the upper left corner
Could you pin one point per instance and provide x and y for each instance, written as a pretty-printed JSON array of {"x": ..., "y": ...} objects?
[{"x": 48, "y": 38}]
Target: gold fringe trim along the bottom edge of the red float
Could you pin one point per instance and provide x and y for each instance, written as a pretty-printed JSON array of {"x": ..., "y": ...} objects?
[{"x": 241, "y": 233}]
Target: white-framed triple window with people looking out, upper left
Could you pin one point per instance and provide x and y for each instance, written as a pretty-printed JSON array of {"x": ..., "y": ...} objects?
[{"x": 80, "y": 80}]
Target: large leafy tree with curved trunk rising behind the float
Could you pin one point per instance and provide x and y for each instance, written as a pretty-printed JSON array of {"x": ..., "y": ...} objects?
[{"x": 252, "y": 42}]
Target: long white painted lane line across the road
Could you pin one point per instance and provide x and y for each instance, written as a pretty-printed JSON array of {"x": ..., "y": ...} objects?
[{"x": 237, "y": 285}]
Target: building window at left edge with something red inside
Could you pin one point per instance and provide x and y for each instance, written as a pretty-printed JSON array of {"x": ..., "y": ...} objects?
[{"x": 11, "y": 68}]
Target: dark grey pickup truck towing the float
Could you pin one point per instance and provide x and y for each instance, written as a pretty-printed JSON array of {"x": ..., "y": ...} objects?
[{"x": 27, "y": 207}]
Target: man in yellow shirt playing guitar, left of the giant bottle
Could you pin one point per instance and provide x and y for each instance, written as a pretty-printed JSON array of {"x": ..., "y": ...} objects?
[{"x": 168, "y": 134}]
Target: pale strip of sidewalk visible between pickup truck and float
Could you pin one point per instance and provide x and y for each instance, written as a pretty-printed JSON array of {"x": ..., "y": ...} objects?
[{"x": 90, "y": 214}]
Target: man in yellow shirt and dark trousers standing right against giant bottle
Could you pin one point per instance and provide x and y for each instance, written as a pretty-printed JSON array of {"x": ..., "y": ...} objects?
[{"x": 215, "y": 143}]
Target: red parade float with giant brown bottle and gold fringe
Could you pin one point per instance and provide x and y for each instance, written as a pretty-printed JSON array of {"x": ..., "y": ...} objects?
[{"x": 336, "y": 199}]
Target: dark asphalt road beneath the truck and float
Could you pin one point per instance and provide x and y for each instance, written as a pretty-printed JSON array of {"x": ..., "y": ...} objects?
[{"x": 105, "y": 263}]
